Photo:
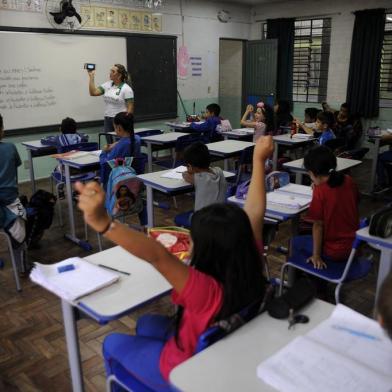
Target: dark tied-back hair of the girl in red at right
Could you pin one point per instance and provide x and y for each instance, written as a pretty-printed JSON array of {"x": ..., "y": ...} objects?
[{"x": 321, "y": 161}]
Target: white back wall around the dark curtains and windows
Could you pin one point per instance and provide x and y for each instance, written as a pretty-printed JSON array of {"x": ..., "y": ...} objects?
[{"x": 341, "y": 35}]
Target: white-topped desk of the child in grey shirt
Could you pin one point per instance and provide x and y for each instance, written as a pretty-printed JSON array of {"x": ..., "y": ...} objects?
[{"x": 169, "y": 186}]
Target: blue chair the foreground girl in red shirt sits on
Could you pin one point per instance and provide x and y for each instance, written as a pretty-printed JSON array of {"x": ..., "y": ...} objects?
[{"x": 122, "y": 380}]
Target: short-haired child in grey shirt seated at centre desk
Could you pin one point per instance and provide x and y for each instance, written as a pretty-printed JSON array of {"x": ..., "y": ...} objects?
[{"x": 210, "y": 183}]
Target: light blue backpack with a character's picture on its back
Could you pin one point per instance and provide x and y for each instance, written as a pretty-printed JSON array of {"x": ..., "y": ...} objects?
[{"x": 123, "y": 188}]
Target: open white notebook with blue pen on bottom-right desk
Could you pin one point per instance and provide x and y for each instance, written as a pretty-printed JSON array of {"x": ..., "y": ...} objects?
[{"x": 346, "y": 352}]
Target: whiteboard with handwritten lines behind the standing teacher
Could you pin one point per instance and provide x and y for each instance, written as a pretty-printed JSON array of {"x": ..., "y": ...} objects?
[{"x": 42, "y": 79}]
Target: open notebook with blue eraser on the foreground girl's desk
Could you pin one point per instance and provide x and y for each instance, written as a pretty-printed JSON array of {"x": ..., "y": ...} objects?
[{"x": 72, "y": 278}]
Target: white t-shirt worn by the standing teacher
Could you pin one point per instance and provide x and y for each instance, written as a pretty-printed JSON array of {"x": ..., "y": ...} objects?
[{"x": 116, "y": 97}]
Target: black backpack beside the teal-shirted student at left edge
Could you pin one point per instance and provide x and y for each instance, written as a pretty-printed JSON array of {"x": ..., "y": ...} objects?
[{"x": 40, "y": 211}]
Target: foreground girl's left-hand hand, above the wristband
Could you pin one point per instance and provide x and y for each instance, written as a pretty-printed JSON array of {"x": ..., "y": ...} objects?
[{"x": 91, "y": 203}]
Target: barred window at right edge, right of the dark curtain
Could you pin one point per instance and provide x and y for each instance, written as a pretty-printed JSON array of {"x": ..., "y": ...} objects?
[{"x": 386, "y": 65}]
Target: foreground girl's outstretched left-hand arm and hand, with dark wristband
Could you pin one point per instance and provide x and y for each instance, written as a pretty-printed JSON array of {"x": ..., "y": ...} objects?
[{"x": 91, "y": 202}]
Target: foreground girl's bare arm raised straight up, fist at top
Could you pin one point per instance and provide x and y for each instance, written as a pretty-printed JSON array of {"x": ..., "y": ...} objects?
[{"x": 256, "y": 199}]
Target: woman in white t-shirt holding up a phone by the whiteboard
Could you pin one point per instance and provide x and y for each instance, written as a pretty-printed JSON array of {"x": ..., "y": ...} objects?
[{"x": 117, "y": 94}]
